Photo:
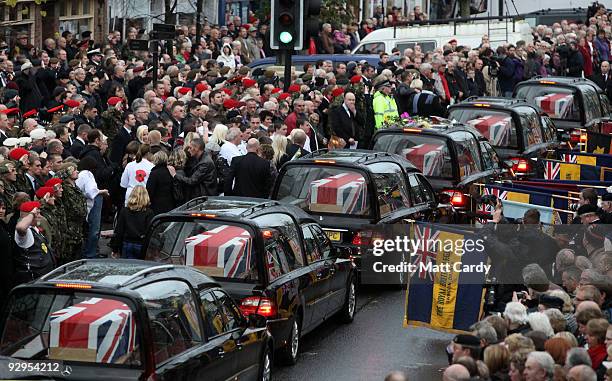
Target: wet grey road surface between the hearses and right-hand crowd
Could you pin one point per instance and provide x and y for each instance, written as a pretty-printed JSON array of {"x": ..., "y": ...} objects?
[{"x": 373, "y": 345}]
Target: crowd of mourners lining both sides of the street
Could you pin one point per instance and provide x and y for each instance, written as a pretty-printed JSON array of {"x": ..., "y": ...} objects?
[{"x": 87, "y": 137}]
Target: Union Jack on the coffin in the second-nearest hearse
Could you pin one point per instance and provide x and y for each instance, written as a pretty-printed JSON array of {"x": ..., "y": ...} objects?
[{"x": 224, "y": 247}]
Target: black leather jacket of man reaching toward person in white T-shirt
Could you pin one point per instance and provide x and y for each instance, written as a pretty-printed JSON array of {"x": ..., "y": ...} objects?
[{"x": 202, "y": 180}]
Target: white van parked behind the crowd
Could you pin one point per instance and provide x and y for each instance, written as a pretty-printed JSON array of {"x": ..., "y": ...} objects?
[{"x": 430, "y": 37}]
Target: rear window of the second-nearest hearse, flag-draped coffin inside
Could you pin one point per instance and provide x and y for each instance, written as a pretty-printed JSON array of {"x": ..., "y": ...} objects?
[{"x": 214, "y": 247}]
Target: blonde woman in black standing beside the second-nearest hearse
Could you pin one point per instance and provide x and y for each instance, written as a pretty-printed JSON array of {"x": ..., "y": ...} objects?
[{"x": 132, "y": 225}]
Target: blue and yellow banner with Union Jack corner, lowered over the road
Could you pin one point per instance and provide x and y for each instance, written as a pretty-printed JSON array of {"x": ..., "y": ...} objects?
[{"x": 449, "y": 300}]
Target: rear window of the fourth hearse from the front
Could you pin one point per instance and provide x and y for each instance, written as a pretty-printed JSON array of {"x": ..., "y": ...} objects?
[{"x": 429, "y": 154}]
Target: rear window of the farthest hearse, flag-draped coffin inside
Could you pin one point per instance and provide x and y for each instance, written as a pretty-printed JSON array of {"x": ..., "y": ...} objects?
[{"x": 557, "y": 102}]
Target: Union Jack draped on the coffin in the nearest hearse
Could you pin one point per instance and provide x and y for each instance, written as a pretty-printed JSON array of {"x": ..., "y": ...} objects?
[{"x": 105, "y": 326}]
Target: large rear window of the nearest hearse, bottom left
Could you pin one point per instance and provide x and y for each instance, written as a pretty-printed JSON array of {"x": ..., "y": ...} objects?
[{"x": 71, "y": 326}]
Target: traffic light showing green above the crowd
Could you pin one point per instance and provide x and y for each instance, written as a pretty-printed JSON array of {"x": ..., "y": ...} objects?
[{"x": 287, "y": 25}]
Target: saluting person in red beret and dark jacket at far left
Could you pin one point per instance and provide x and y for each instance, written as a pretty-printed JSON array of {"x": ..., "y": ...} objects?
[{"x": 32, "y": 254}]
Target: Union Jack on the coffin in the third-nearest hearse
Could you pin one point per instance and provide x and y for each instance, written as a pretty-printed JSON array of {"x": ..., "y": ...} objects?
[{"x": 347, "y": 192}]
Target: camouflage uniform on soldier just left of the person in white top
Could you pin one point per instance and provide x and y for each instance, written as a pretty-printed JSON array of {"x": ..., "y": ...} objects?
[{"x": 75, "y": 209}]
